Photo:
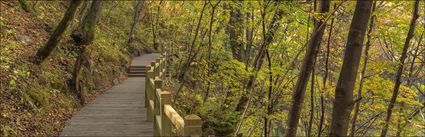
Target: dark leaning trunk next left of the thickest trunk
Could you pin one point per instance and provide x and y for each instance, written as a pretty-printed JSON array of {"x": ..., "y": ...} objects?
[{"x": 306, "y": 68}]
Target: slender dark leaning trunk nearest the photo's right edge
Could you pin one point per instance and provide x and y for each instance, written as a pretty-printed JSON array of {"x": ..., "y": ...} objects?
[{"x": 400, "y": 69}]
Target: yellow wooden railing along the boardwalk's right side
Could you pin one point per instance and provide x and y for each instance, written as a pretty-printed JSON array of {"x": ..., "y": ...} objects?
[{"x": 160, "y": 111}]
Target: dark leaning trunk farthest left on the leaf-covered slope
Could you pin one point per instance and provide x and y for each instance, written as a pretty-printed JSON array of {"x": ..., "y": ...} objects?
[{"x": 54, "y": 39}]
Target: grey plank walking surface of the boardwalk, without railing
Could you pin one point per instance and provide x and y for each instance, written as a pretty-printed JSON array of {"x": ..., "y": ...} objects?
[{"x": 120, "y": 111}]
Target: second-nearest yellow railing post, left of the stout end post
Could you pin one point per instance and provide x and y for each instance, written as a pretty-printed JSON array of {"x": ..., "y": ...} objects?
[{"x": 166, "y": 125}]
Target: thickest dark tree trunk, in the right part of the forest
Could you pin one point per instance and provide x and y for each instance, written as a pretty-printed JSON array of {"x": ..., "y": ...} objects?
[{"x": 343, "y": 103}]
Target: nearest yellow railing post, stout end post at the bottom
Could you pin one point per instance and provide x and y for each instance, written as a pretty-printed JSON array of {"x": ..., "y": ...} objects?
[{"x": 192, "y": 126}]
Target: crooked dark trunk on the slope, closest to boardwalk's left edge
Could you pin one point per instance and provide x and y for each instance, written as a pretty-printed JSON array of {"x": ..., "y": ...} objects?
[{"x": 83, "y": 36}]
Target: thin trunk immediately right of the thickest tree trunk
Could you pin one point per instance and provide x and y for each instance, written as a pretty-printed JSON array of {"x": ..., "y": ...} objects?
[{"x": 363, "y": 72}]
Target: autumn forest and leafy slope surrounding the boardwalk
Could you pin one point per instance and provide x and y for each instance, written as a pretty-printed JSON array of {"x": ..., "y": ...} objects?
[{"x": 247, "y": 68}]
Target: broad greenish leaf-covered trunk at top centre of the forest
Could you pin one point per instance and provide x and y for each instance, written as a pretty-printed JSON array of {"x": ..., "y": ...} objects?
[{"x": 235, "y": 30}]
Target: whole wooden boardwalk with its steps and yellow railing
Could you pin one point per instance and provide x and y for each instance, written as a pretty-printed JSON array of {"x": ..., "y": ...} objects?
[{"x": 138, "y": 106}]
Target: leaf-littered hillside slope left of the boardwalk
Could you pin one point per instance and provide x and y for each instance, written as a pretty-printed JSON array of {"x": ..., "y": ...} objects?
[{"x": 35, "y": 100}]
